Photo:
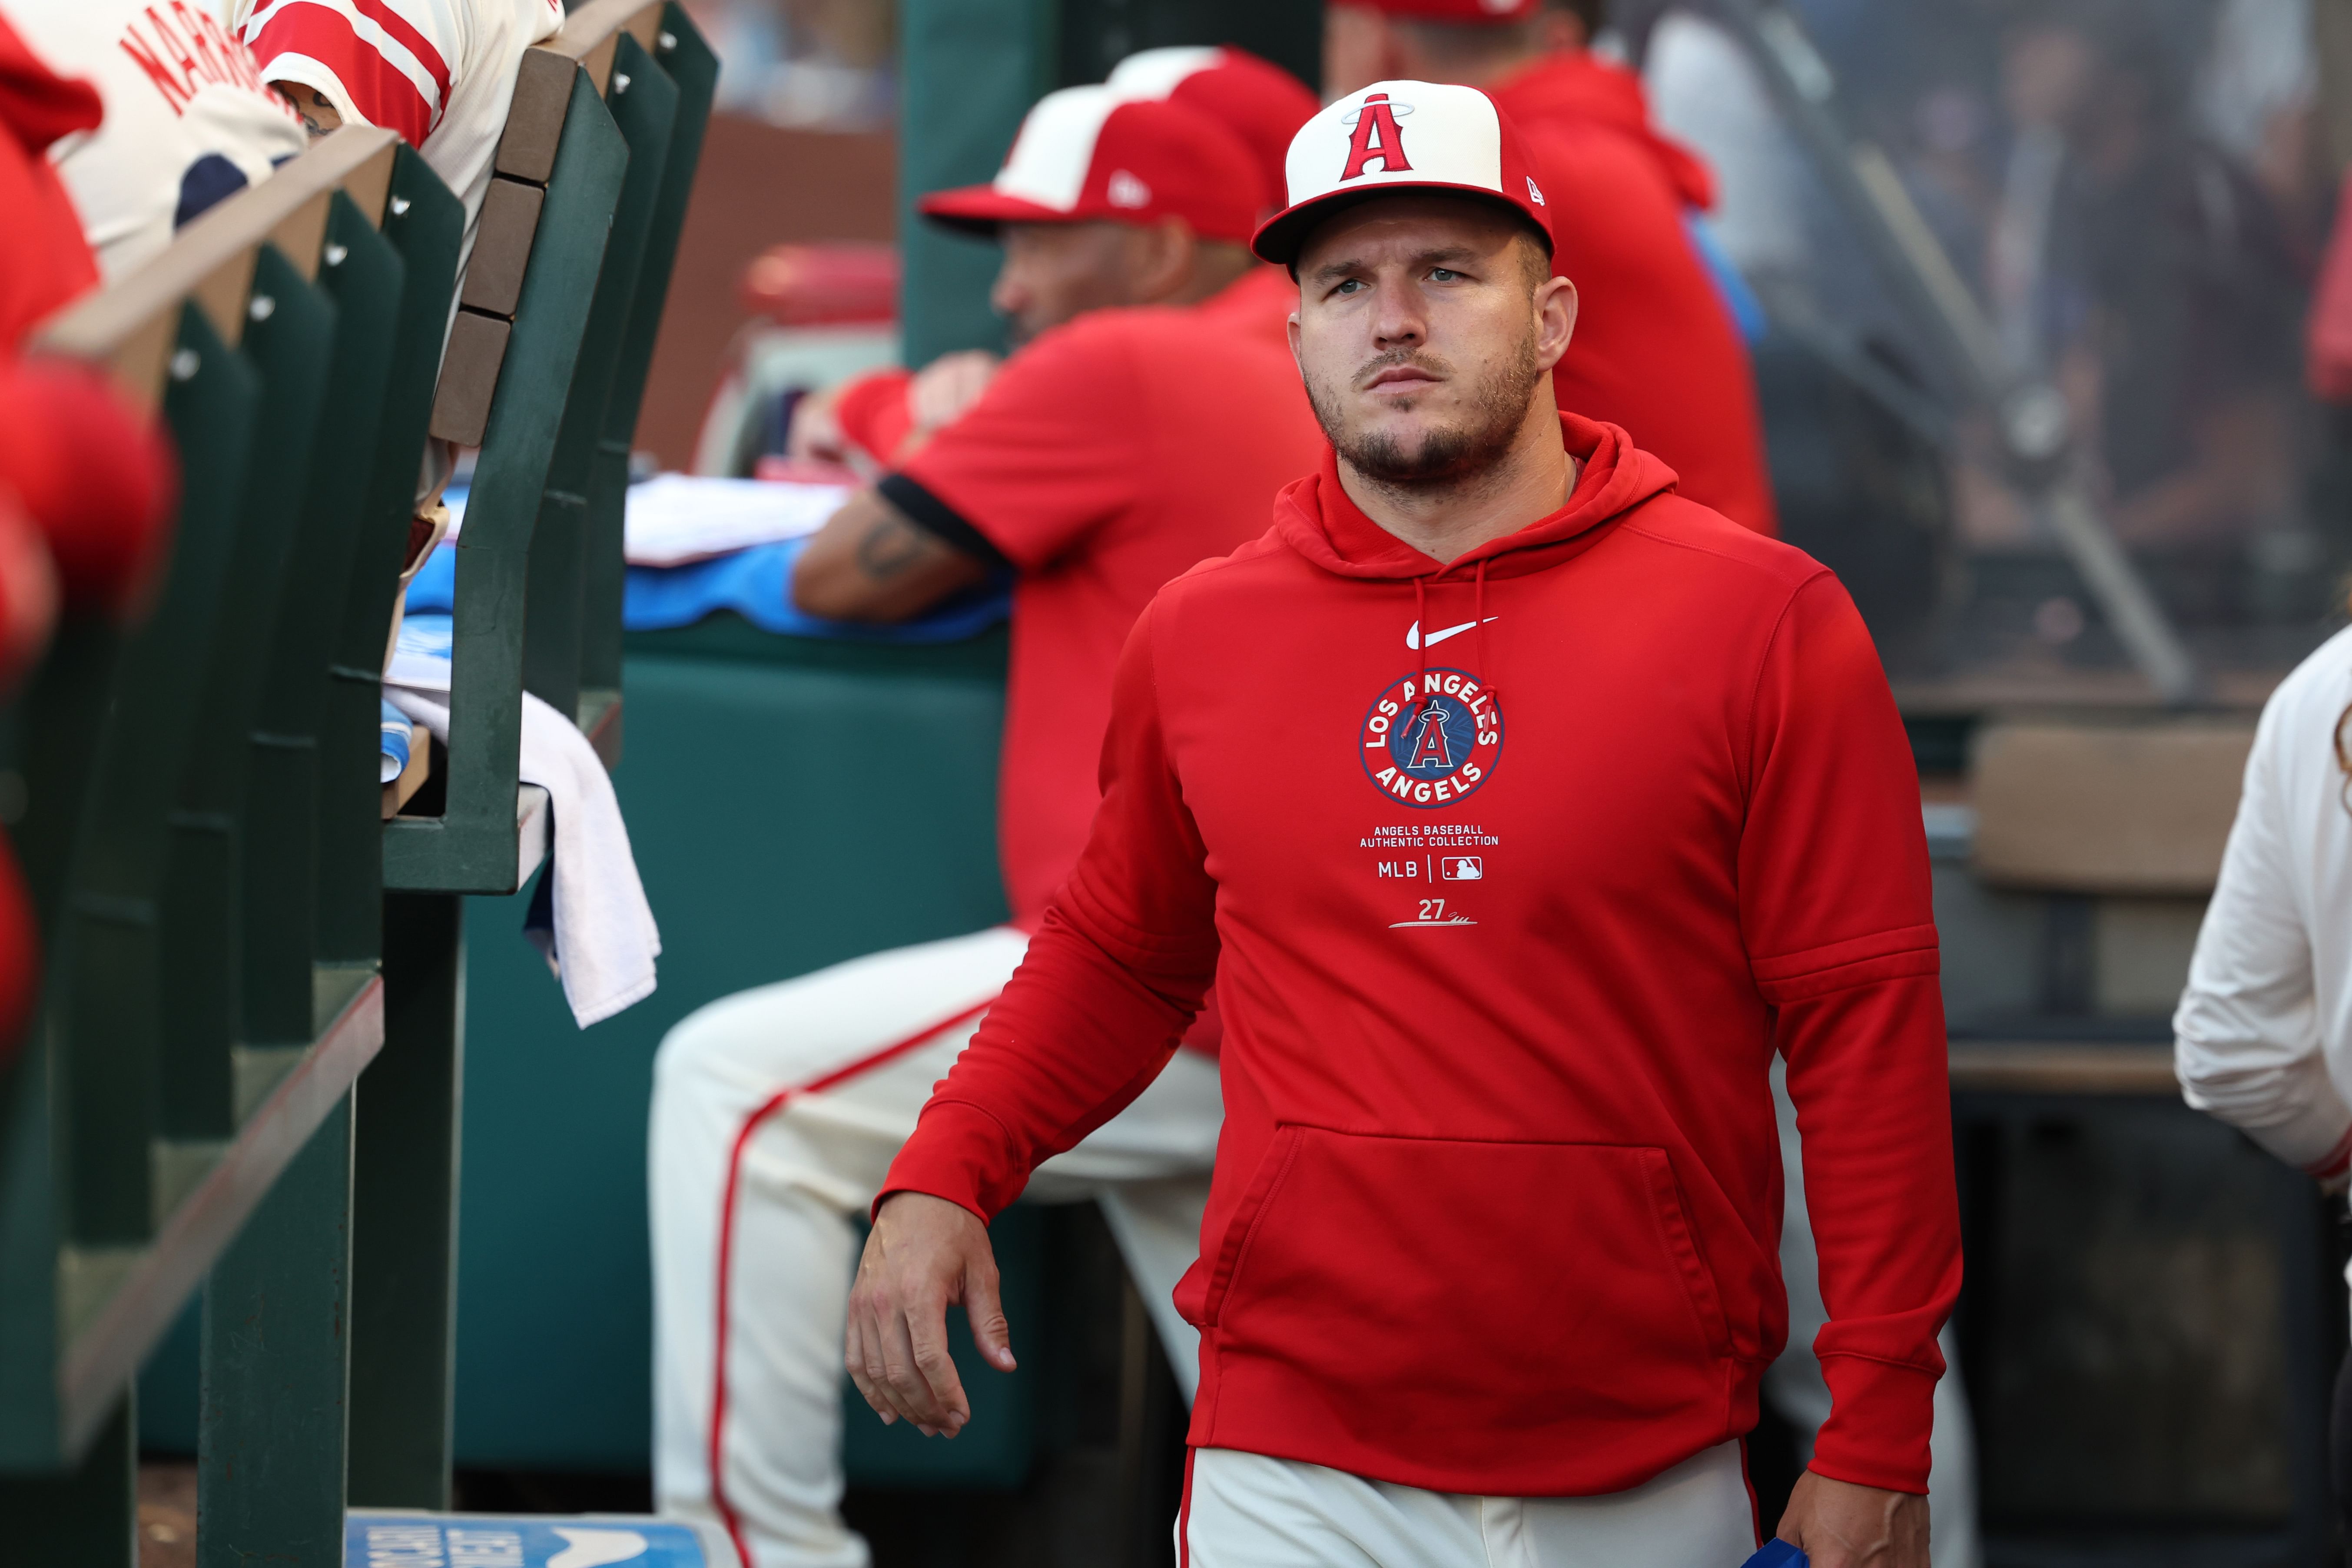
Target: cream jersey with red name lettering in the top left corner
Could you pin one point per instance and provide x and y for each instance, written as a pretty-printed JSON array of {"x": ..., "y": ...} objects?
[{"x": 189, "y": 116}]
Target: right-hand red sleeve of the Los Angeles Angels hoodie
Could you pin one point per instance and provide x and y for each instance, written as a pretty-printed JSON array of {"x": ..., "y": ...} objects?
[{"x": 1840, "y": 927}]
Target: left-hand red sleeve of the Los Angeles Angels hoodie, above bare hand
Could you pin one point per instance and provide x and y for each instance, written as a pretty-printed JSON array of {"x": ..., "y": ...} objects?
[{"x": 1111, "y": 981}]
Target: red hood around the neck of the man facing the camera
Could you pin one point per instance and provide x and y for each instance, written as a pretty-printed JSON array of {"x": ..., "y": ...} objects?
[{"x": 1318, "y": 521}]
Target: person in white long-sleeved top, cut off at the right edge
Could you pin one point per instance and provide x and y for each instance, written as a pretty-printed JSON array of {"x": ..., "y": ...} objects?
[{"x": 2264, "y": 1033}]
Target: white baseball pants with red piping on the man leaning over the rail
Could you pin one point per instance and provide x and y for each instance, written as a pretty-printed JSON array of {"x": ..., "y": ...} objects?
[{"x": 775, "y": 1120}]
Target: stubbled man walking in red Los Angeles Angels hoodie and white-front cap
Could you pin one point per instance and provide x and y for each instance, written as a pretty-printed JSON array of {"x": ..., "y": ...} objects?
[{"x": 1504, "y": 939}]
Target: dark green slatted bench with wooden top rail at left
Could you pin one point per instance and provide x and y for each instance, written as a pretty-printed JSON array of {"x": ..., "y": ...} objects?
[{"x": 232, "y": 930}]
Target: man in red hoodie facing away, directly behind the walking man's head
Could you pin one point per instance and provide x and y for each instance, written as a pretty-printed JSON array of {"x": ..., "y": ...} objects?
[{"x": 1657, "y": 347}]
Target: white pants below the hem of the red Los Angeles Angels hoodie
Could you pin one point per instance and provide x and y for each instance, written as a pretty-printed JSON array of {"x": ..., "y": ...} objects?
[{"x": 1248, "y": 1510}]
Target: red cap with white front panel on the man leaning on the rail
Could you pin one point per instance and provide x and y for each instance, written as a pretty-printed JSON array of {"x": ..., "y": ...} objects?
[{"x": 1097, "y": 154}]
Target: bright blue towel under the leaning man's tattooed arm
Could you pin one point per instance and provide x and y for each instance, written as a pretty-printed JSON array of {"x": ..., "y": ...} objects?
[{"x": 751, "y": 584}]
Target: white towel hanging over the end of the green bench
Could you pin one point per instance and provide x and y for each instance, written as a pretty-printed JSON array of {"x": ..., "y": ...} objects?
[{"x": 606, "y": 942}]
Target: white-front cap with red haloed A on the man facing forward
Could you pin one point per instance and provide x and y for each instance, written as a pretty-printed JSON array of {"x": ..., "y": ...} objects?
[{"x": 1398, "y": 138}]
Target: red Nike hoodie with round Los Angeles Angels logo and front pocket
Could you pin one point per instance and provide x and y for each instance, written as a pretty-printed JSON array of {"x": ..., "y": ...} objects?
[{"x": 1511, "y": 876}]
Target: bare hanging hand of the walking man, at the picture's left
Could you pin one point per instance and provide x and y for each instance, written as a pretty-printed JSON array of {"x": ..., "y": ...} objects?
[{"x": 921, "y": 1257}]
